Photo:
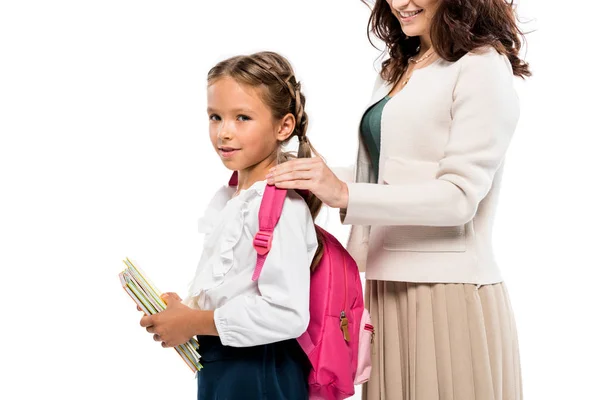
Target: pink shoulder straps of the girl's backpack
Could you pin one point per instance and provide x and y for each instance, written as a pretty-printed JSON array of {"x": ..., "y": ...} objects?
[{"x": 269, "y": 213}]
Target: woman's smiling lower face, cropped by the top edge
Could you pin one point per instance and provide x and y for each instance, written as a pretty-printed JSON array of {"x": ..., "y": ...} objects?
[{"x": 414, "y": 15}]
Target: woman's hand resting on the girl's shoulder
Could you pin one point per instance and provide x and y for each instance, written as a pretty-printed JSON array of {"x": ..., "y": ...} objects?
[{"x": 311, "y": 174}]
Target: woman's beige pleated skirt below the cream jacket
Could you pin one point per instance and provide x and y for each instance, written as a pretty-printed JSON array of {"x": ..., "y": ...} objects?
[{"x": 442, "y": 341}]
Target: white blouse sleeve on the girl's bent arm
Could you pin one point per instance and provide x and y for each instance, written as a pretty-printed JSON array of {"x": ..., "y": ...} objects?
[{"x": 281, "y": 311}]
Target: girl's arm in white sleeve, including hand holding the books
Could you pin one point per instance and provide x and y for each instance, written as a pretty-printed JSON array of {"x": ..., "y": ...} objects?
[{"x": 280, "y": 312}]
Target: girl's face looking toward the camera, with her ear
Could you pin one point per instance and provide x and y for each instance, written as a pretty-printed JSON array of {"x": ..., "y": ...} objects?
[{"x": 242, "y": 128}]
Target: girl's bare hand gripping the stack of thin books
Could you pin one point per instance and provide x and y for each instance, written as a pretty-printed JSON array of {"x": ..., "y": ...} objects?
[{"x": 174, "y": 325}]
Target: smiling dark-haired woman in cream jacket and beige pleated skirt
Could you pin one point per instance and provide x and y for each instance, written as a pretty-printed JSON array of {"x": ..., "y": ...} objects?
[{"x": 432, "y": 144}]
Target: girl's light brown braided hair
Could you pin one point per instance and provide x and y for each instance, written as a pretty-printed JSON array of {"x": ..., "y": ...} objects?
[{"x": 281, "y": 92}]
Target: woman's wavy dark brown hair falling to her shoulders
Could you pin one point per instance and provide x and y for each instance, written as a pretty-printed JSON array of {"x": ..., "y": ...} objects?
[{"x": 458, "y": 27}]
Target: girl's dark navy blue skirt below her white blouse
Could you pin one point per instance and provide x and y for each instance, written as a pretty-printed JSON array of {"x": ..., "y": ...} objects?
[{"x": 269, "y": 372}]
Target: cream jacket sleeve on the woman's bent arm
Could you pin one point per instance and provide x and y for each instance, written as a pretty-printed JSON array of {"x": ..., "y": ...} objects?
[{"x": 485, "y": 111}]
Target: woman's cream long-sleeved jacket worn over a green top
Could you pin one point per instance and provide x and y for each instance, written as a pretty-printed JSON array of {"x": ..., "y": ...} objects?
[{"x": 443, "y": 141}]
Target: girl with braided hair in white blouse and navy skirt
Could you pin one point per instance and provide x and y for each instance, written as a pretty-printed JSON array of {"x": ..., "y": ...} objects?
[{"x": 247, "y": 329}]
